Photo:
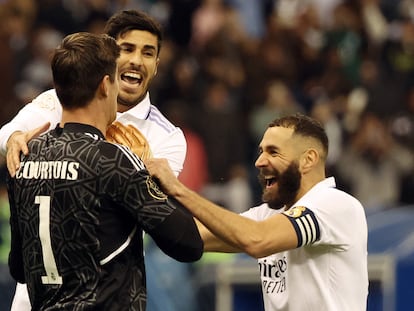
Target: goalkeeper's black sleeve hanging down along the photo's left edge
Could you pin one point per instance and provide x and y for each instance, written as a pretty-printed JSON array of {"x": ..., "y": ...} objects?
[{"x": 16, "y": 266}]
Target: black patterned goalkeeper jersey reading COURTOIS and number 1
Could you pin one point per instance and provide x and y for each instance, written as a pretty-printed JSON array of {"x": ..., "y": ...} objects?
[{"x": 79, "y": 206}]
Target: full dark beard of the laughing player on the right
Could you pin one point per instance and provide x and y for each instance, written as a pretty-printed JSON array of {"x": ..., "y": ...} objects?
[{"x": 288, "y": 184}]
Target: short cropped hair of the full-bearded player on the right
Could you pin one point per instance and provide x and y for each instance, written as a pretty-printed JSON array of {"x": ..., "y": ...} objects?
[{"x": 304, "y": 126}]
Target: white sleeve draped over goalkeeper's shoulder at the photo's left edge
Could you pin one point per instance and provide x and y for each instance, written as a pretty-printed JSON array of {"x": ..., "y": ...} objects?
[{"x": 44, "y": 108}]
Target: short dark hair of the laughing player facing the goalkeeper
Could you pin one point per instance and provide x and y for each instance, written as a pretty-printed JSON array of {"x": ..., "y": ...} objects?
[{"x": 127, "y": 20}]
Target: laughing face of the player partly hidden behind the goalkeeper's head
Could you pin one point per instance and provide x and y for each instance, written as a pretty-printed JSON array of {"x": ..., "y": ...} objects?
[{"x": 137, "y": 66}]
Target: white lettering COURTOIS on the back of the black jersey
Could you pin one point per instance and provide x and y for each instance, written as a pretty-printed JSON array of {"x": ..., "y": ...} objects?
[{"x": 48, "y": 170}]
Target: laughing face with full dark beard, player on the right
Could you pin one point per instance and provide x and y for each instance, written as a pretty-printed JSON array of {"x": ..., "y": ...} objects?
[{"x": 278, "y": 165}]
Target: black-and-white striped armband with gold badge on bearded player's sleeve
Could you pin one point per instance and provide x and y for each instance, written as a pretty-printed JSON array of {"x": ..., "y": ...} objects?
[{"x": 305, "y": 223}]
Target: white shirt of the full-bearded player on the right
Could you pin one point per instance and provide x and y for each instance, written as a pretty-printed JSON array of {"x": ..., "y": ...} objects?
[{"x": 329, "y": 274}]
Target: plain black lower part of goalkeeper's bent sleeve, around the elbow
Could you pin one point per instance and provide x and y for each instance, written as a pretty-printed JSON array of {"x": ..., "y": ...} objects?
[{"x": 178, "y": 236}]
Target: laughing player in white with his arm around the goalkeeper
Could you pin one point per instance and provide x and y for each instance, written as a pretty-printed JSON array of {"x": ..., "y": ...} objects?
[{"x": 140, "y": 38}]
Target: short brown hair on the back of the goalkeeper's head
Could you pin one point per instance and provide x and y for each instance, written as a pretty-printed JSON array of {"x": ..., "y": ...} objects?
[{"x": 80, "y": 63}]
